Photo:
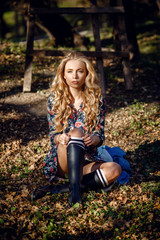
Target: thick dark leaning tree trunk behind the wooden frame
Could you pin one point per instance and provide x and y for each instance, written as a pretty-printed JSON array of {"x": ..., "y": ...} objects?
[{"x": 56, "y": 26}]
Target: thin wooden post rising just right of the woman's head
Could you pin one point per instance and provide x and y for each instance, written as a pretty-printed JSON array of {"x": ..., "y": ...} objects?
[{"x": 99, "y": 60}]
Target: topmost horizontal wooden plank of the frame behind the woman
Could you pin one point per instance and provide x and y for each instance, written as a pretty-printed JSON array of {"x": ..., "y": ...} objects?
[{"x": 92, "y": 10}]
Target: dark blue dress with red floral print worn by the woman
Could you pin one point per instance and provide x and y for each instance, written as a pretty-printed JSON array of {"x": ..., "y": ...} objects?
[{"x": 76, "y": 120}]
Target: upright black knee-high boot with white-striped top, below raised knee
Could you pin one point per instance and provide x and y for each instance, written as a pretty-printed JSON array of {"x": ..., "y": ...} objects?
[{"x": 75, "y": 160}]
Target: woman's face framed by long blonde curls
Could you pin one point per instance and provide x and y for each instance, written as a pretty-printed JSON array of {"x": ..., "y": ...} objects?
[{"x": 75, "y": 74}]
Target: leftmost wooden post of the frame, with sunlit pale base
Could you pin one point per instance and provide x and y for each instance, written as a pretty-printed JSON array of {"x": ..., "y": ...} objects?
[{"x": 28, "y": 64}]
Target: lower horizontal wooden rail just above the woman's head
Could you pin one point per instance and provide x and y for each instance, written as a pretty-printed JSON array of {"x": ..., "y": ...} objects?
[{"x": 104, "y": 54}]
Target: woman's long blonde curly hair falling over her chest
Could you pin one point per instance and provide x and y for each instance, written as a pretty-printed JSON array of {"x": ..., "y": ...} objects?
[{"x": 91, "y": 95}]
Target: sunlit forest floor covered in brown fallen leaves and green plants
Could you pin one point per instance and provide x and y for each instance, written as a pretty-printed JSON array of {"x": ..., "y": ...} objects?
[{"x": 132, "y": 122}]
